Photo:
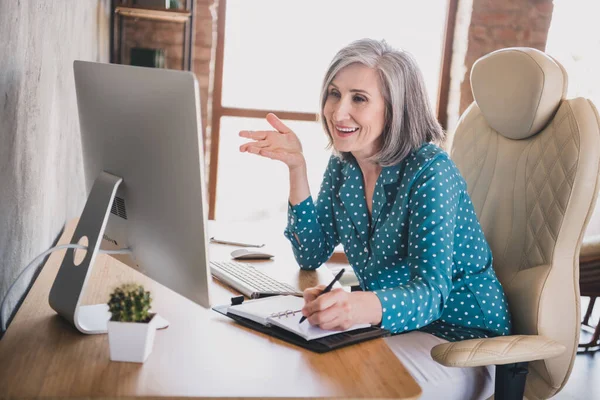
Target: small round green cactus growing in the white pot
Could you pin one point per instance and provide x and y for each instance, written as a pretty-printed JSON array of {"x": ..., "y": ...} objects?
[{"x": 130, "y": 303}]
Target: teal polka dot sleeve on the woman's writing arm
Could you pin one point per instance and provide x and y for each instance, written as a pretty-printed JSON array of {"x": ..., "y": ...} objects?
[{"x": 433, "y": 206}]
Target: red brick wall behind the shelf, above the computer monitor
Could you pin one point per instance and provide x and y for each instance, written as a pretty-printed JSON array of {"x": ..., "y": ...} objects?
[{"x": 170, "y": 36}]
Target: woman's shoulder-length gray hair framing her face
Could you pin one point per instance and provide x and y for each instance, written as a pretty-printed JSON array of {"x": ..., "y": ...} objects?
[{"x": 409, "y": 118}]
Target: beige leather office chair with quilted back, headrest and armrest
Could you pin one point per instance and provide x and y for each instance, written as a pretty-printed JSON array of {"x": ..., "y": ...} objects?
[{"x": 531, "y": 162}]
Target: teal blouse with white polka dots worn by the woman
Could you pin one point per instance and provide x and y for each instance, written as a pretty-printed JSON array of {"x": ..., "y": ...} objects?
[{"x": 422, "y": 252}]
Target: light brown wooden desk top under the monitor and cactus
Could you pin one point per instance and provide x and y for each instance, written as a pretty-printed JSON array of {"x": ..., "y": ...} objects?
[{"x": 202, "y": 353}]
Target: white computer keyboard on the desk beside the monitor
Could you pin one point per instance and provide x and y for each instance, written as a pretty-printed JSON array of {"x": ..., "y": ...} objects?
[{"x": 248, "y": 280}]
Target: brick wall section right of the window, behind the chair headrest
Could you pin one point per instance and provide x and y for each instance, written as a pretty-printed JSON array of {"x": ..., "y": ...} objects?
[{"x": 496, "y": 24}]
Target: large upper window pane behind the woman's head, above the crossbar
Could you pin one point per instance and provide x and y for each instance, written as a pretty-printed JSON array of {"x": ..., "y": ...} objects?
[{"x": 277, "y": 52}]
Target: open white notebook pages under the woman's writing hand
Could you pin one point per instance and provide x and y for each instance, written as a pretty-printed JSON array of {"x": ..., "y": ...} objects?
[{"x": 283, "y": 312}]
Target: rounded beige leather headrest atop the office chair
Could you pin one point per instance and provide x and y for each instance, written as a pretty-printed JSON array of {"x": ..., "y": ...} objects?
[{"x": 518, "y": 90}]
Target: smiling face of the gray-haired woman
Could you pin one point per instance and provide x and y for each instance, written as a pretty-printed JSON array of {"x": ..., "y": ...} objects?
[{"x": 355, "y": 111}]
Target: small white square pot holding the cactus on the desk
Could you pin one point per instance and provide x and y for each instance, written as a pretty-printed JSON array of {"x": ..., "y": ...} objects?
[{"x": 131, "y": 341}]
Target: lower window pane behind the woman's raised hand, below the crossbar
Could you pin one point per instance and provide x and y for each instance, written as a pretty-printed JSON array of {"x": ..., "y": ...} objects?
[{"x": 253, "y": 188}]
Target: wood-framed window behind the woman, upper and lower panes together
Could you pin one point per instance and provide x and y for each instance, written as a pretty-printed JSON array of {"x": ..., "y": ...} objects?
[{"x": 274, "y": 56}]
